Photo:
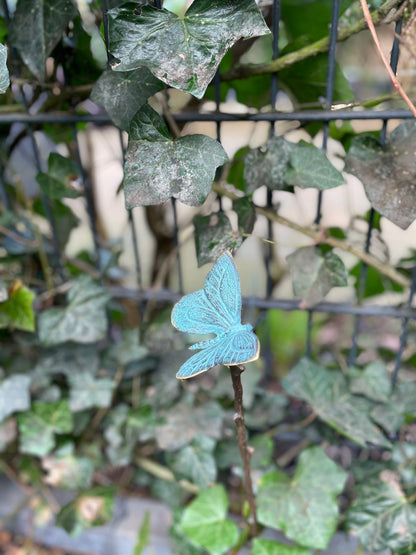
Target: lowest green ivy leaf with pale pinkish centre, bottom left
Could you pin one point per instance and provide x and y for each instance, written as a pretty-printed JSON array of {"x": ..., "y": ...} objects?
[{"x": 93, "y": 507}]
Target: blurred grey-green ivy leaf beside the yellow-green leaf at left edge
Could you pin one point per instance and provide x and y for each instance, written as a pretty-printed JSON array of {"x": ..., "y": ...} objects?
[{"x": 84, "y": 320}]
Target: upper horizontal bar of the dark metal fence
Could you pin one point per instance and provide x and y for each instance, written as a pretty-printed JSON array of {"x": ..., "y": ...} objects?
[{"x": 315, "y": 115}]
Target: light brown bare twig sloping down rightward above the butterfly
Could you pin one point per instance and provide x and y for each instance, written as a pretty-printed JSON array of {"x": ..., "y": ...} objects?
[{"x": 316, "y": 235}]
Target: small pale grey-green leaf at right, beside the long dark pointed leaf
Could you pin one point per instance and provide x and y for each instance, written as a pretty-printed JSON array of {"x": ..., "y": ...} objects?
[{"x": 374, "y": 381}]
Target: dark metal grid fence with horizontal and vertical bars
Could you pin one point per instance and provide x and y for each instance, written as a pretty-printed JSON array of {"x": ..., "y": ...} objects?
[{"x": 31, "y": 121}]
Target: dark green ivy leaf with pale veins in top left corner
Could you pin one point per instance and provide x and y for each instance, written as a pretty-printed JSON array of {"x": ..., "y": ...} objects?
[{"x": 36, "y": 28}]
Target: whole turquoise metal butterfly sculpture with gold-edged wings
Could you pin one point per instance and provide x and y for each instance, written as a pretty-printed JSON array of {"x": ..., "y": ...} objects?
[{"x": 216, "y": 309}]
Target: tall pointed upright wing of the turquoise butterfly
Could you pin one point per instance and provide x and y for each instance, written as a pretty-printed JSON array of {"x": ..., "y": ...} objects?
[{"x": 222, "y": 288}]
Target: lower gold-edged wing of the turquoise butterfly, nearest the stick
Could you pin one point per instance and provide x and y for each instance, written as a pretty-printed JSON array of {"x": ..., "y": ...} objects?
[{"x": 234, "y": 348}]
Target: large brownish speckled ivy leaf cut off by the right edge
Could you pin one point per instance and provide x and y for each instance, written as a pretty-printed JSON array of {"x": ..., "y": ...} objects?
[{"x": 388, "y": 175}]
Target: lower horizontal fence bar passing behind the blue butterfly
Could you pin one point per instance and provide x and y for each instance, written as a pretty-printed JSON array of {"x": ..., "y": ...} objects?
[{"x": 168, "y": 297}]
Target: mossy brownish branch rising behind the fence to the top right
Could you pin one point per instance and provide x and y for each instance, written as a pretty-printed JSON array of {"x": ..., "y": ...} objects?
[{"x": 321, "y": 45}]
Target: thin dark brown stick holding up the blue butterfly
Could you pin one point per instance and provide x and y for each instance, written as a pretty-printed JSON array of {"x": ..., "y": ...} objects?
[{"x": 245, "y": 450}]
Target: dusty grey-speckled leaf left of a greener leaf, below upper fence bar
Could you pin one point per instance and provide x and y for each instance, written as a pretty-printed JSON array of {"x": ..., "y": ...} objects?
[{"x": 266, "y": 165}]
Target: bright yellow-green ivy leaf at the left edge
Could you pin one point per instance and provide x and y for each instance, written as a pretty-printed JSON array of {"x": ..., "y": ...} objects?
[{"x": 17, "y": 312}]
